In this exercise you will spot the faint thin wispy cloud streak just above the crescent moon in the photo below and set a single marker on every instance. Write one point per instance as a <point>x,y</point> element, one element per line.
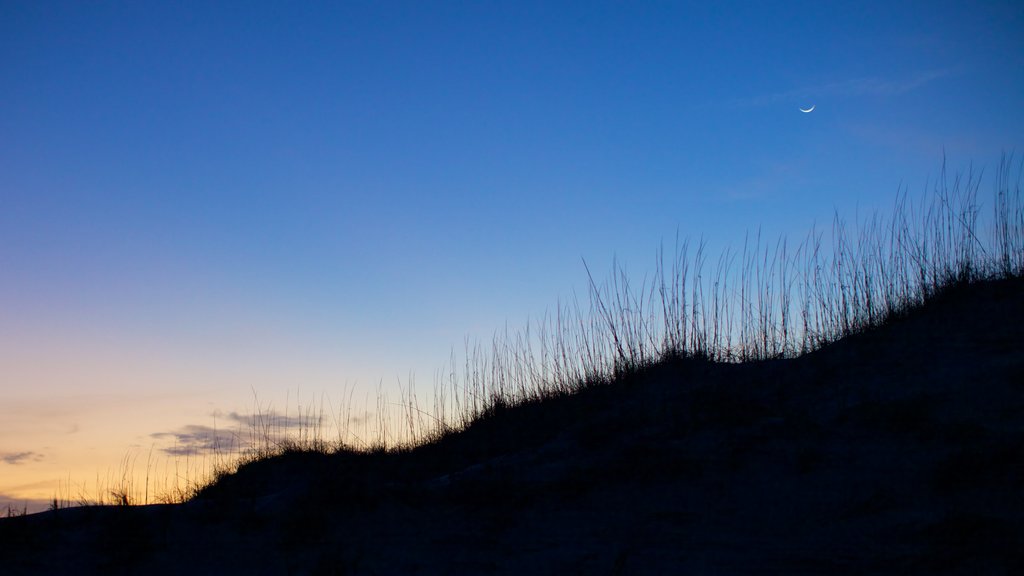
<point>871,87</point>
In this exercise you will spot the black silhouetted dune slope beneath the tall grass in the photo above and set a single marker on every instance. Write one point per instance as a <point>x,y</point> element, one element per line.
<point>897,451</point>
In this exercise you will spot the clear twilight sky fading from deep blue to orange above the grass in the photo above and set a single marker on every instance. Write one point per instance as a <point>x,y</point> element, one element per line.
<point>205,207</point>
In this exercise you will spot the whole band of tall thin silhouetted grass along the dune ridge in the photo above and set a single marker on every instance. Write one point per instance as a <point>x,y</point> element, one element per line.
<point>769,300</point>
